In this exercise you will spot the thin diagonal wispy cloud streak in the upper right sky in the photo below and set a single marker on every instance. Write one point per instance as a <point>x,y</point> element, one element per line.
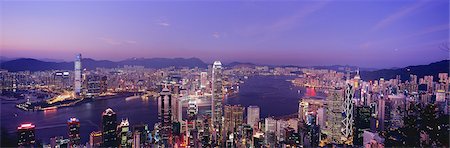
<point>399,15</point>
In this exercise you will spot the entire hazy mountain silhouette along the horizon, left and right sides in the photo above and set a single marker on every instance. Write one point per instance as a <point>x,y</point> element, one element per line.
<point>28,64</point>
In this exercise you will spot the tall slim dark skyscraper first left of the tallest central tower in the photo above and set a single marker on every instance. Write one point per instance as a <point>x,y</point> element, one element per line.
<point>165,102</point>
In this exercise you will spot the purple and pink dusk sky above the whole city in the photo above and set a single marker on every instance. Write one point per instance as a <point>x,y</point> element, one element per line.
<point>366,33</point>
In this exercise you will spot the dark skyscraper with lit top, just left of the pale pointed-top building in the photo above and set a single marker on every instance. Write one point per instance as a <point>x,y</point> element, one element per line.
<point>109,136</point>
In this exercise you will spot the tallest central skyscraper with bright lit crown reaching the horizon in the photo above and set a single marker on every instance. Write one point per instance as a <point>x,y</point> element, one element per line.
<point>217,96</point>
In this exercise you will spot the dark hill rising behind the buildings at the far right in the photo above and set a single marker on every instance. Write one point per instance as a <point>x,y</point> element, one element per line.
<point>421,70</point>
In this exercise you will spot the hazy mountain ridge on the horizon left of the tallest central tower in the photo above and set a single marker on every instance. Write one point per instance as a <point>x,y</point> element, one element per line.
<point>27,64</point>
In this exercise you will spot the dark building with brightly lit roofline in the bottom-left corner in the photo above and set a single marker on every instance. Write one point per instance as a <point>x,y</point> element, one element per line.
<point>25,135</point>
